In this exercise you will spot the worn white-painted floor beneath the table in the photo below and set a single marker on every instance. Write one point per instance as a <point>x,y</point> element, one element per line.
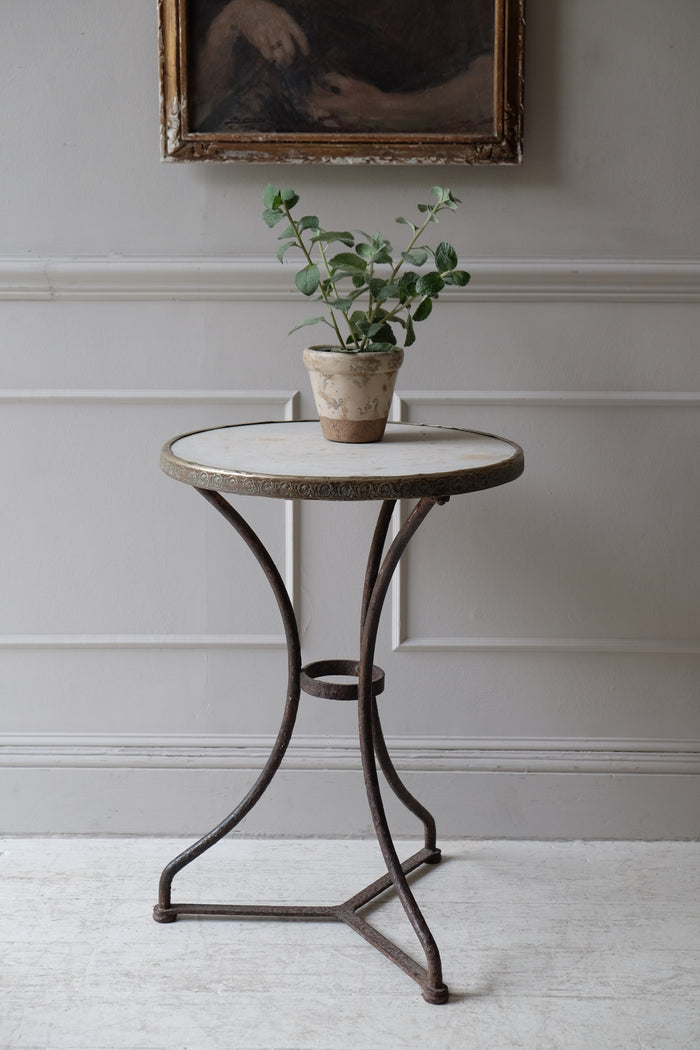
<point>545,947</point>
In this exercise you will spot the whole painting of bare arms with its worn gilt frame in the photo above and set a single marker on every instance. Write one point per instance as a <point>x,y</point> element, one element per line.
<point>347,81</point>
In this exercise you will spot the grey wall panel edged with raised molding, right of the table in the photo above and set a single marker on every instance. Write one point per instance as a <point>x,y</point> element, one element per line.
<point>588,559</point>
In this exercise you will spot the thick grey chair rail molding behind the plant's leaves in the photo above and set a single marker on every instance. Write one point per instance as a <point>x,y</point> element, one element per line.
<point>257,279</point>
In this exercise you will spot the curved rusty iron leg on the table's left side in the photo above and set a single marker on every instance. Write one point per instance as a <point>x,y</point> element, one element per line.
<point>163,911</point>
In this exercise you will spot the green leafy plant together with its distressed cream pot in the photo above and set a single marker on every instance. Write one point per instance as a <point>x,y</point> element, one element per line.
<point>373,298</point>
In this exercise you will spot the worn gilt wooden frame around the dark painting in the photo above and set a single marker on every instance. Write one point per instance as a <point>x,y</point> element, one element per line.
<point>503,146</point>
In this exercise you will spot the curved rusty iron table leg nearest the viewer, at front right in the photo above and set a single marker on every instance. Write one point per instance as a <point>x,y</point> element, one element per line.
<point>434,990</point>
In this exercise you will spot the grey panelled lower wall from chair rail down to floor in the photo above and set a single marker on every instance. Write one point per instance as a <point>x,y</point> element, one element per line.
<point>543,644</point>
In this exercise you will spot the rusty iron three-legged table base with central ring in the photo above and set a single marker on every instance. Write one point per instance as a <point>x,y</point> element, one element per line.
<point>373,749</point>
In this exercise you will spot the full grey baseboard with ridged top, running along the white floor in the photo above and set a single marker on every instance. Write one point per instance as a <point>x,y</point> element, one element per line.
<point>483,789</point>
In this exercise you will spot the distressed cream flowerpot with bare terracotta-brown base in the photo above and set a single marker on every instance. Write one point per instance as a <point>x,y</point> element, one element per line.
<point>353,392</point>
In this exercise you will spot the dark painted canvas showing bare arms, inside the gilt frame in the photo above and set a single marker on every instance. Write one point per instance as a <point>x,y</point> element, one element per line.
<point>343,66</point>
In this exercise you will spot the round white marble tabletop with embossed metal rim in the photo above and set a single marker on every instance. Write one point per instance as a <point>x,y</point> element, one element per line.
<point>294,461</point>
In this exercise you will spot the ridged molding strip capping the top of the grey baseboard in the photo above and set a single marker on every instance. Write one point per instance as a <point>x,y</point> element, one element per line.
<point>331,754</point>
